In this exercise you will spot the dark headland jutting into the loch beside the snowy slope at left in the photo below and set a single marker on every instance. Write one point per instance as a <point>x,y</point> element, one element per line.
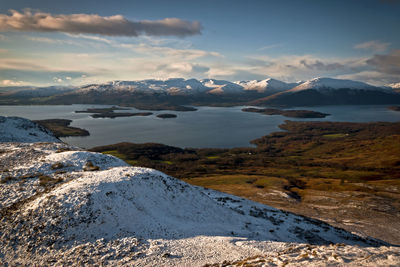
<point>61,128</point>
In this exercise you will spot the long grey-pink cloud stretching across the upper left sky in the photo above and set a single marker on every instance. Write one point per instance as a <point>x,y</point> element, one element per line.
<point>115,25</point>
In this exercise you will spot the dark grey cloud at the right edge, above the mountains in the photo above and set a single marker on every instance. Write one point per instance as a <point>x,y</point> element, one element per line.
<point>389,63</point>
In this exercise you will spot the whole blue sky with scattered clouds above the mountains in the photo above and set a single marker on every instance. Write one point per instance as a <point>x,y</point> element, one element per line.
<point>73,42</point>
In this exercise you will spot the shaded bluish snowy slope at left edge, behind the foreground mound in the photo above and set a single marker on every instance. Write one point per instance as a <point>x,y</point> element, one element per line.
<point>15,129</point>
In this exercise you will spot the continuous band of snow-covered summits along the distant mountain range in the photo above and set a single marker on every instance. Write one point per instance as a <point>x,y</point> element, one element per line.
<point>180,86</point>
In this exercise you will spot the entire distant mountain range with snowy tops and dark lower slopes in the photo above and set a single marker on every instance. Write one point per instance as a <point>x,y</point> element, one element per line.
<point>179,91</point>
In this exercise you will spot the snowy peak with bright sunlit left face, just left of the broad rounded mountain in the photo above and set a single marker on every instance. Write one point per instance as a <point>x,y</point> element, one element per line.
<point>270,85</point>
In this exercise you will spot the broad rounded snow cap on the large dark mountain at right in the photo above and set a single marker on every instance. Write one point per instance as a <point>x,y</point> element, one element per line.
<point>330,83</point>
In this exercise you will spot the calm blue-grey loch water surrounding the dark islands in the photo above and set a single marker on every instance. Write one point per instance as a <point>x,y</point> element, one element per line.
<point>206,127</point>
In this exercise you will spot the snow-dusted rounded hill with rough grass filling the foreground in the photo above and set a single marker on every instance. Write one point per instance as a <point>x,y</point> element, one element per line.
<point>62,205</point>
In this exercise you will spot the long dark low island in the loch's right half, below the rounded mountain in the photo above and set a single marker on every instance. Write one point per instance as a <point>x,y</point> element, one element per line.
<point>287,113</point>
